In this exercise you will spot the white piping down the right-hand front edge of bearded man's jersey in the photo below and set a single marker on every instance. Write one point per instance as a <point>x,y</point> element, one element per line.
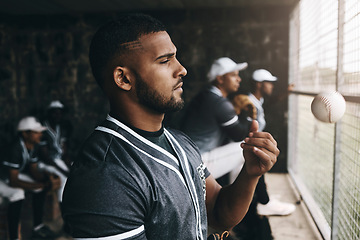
<point>193,192</point>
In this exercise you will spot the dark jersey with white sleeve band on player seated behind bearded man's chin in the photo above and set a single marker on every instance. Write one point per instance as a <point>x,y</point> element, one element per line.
<point>206,118</point>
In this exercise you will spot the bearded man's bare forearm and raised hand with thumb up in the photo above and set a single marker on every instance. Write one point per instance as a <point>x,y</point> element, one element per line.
<point>228,205</point>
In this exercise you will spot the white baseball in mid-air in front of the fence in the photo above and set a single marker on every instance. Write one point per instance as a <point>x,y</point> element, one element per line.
<point>328,106</point>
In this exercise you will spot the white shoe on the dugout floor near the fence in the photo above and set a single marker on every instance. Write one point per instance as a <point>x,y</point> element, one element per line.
<point>275,208</point>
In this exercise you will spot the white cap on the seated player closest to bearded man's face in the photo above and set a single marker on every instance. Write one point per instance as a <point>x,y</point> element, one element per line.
<point>224,65</point>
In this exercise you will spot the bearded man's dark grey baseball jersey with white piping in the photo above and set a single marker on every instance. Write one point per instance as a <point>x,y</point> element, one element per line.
<point>123,186</point>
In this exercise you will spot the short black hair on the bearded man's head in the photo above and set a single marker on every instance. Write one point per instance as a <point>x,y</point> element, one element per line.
<point>108,42</point>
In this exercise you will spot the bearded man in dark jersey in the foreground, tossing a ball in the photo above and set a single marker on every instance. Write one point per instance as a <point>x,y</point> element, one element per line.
<point>134,179</point>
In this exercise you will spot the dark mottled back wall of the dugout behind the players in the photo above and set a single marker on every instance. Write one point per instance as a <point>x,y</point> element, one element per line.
<point>43,58</point>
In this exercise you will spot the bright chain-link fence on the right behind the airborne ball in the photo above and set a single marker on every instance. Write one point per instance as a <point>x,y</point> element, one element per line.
<point>324,159</point>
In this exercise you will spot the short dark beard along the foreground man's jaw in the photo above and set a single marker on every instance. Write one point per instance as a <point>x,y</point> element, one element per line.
<point>154,100</point>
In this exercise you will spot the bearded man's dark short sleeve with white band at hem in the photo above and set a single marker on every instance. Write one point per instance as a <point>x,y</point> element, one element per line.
<point>100,200</point>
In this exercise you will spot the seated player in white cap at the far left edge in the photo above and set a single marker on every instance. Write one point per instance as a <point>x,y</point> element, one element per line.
<point>21,173</point>
